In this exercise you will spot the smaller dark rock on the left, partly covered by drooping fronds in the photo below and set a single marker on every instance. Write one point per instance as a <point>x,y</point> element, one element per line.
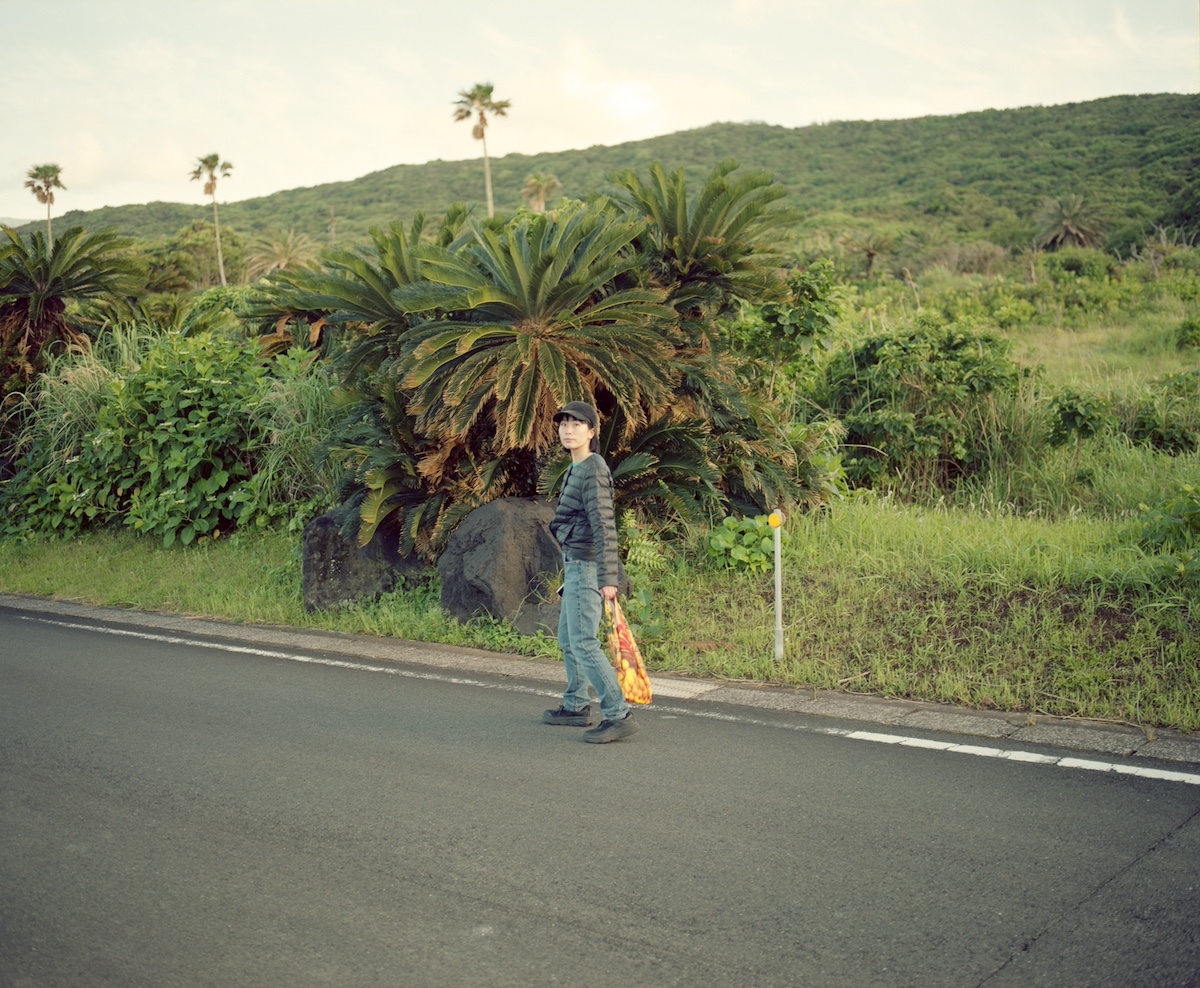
<point>338,572</point>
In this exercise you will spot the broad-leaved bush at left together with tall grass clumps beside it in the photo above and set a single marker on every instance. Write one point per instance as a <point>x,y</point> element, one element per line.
<point>176,439</point>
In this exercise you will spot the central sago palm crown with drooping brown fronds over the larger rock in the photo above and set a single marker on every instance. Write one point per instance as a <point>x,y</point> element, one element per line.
<point>518,321</point>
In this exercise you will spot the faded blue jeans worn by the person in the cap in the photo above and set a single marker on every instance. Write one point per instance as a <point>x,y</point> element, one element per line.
<point>586,662</point>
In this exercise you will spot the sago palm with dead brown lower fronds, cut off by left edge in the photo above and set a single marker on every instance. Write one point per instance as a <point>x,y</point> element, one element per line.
<point>37,284</point>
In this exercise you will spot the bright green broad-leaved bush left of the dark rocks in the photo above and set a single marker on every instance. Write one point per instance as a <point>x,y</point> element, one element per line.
<point>171,453</point>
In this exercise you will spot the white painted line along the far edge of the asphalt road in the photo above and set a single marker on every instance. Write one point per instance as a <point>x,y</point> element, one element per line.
<point>1011,755</point>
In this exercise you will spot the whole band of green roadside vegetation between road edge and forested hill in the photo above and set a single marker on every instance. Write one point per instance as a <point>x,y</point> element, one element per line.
<point>988,452</point>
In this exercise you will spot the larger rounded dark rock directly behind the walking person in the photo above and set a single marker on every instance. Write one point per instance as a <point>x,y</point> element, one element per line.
<point>501,561</point>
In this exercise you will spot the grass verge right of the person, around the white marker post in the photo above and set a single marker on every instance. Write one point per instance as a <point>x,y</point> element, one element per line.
<point>999,612</point>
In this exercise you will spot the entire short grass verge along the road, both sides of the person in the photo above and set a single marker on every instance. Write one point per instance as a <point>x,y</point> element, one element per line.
<point>991,610</point>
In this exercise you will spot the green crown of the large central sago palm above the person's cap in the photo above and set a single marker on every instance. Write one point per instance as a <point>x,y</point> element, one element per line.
<point>526,319</point>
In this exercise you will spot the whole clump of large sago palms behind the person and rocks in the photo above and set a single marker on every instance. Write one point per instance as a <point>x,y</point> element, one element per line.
<point>457,354</point>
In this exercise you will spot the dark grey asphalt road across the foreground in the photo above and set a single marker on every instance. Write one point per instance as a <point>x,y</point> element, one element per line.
<point>175,815</point>
